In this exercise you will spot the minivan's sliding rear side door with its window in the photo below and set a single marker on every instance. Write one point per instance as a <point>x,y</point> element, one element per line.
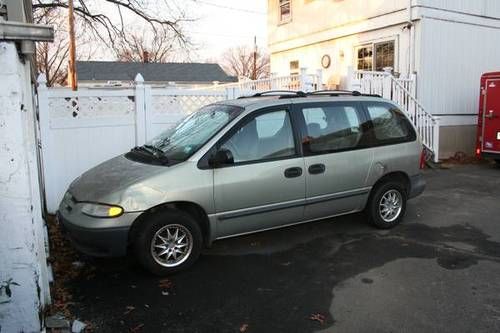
<point>336,159</point>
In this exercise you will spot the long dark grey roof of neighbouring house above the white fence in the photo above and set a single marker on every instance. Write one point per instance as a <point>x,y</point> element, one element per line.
<point>160,72</point>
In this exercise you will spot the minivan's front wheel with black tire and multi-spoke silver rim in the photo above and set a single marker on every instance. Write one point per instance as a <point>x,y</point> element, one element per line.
<point>157,236</point>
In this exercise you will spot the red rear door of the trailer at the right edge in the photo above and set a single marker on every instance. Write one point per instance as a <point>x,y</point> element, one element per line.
<point>491,117</point>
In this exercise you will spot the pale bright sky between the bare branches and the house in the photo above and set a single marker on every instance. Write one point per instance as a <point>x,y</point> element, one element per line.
<point>217,26</point>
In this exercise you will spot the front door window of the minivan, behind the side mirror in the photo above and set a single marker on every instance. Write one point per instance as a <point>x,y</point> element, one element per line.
<point>267,136</point>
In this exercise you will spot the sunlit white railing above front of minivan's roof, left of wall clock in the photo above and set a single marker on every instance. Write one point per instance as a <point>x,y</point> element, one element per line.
<point>302,81</point>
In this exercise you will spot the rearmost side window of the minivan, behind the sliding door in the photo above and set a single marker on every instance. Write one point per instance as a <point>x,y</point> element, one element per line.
<point>389,124</point>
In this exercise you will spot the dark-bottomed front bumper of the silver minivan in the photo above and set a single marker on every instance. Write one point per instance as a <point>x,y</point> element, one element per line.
<point>97,237</point>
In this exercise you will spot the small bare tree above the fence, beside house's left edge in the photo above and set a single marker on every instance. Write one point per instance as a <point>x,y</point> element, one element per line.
<point>239,61</point>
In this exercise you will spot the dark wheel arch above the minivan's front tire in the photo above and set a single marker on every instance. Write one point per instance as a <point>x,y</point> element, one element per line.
<point>191,208</point>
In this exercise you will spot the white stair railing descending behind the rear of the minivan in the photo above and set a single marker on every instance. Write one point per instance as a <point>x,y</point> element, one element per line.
<point>403,92</point>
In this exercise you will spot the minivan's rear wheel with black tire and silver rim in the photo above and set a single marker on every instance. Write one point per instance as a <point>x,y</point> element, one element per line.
<point>391,193</point>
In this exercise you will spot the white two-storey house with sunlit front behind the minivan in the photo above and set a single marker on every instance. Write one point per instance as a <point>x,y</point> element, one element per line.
<point>445,44</point>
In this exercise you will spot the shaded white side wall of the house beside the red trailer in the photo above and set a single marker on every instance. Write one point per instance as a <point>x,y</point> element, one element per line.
<point>453,57</point>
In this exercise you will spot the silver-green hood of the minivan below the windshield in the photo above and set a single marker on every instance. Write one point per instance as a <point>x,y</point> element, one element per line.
<point>110,177</point>
